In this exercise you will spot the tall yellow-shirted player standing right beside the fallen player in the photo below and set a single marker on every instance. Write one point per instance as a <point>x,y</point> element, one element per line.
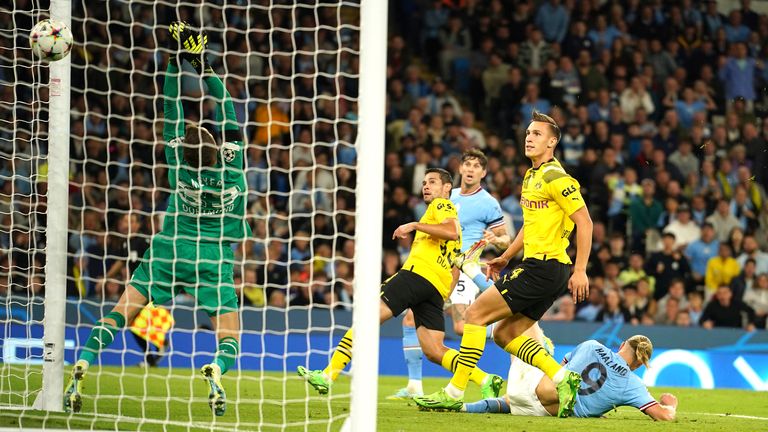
<point>552,206</point>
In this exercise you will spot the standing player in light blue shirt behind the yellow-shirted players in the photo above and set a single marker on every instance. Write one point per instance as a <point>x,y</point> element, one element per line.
<point>480,218</point>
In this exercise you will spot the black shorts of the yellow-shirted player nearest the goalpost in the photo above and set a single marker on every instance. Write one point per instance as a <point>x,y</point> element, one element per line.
<point>408,290</point>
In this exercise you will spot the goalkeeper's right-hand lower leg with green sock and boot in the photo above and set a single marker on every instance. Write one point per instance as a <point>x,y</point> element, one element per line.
<point>227,326</point>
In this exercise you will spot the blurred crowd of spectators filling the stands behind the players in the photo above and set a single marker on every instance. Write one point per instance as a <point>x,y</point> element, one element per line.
<point>662,105</point>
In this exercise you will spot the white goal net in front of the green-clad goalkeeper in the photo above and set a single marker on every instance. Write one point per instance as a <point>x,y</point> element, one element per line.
<point>292,70</point>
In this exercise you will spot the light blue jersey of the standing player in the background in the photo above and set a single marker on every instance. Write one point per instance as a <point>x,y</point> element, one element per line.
<point>477,211</point>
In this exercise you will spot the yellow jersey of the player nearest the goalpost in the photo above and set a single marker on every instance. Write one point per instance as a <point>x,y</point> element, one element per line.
<point>430,257</point>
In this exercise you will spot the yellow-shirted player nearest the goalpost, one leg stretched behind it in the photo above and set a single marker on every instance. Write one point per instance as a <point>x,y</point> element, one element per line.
<point>422,284</point>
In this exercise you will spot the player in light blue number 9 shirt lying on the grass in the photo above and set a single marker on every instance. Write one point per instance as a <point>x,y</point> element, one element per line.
<point>607,382</point>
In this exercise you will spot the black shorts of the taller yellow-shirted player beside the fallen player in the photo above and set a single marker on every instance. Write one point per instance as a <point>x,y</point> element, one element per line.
<point>534,285</point>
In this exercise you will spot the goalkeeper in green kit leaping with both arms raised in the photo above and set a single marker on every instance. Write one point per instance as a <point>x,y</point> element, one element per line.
<point>206,213</point>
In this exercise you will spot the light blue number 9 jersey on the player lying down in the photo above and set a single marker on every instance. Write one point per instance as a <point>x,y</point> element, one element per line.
<point>607,381</point>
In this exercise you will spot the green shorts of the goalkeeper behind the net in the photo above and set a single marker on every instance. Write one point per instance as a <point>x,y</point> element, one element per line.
<point>203,270</point>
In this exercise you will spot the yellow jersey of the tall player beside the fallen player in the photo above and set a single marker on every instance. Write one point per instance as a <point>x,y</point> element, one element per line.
<point>549,197</point>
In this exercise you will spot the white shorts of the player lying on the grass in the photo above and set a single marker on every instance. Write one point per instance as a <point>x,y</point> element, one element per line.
<point>521,389</point>
